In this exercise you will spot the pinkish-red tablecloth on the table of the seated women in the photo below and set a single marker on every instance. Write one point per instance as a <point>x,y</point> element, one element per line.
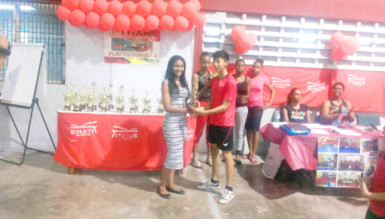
<point>300,151</point>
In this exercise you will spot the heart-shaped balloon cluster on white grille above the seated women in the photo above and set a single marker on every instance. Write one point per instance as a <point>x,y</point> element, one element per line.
<point>343,46</point>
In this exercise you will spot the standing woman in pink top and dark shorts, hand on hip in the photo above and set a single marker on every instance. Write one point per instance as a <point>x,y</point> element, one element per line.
<point>256,107</point>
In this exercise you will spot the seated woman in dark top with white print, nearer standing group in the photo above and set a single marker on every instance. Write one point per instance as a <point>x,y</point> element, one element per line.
<point>294,111</point>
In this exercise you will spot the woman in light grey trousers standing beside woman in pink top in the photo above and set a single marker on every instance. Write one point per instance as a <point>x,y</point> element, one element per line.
<point>243,92</point>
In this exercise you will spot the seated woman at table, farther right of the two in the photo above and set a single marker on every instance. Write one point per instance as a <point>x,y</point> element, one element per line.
<point>337,111</point>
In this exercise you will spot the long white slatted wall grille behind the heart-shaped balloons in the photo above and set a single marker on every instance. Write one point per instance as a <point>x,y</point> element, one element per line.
<point>297,41</point>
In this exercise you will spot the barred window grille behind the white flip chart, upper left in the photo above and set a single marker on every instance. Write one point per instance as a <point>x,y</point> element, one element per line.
<point>28,22</point>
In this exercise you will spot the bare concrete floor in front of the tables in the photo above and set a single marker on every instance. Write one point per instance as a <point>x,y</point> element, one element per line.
<point>41,188</point>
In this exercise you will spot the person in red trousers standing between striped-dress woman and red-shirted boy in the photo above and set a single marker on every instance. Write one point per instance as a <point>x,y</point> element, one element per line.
<point>203,79</point>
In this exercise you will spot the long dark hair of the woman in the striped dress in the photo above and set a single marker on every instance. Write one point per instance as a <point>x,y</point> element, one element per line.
<point>170,76</point>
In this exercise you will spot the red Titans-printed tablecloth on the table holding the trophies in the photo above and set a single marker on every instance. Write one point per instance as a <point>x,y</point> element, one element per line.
<point>115,141</point>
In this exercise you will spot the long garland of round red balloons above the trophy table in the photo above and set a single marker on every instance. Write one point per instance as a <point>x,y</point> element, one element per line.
<point>144,15</point>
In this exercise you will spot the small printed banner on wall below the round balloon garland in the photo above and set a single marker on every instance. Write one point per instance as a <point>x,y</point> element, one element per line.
<point>140,47</point>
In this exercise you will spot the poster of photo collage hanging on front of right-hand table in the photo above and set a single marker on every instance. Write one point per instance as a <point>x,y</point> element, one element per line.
<point>342,161</point>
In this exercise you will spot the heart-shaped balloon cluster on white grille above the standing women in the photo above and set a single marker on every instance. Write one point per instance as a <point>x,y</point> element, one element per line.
<point>243,41</point>
